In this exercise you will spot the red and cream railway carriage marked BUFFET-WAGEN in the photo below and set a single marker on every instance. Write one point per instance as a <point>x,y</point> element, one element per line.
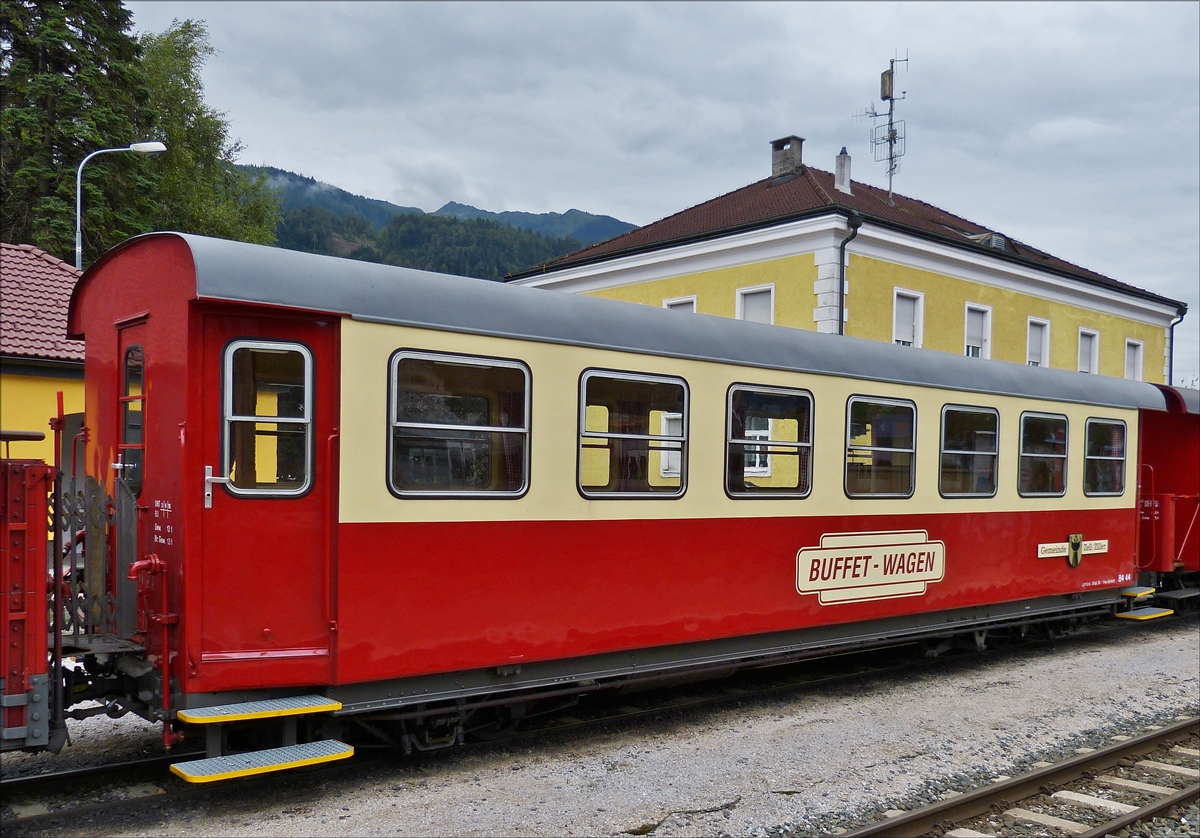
<point>356,489</point>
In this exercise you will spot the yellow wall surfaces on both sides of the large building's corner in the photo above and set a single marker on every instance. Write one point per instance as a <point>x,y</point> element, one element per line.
<point>871,301</point>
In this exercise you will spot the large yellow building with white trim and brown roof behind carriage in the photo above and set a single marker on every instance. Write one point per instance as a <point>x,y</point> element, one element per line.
<point>914,274</point>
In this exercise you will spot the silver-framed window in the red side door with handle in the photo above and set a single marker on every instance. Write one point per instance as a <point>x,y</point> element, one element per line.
<point>268,417</point>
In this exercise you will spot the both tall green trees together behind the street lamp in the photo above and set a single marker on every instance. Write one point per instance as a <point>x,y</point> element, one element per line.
<point>74,81</point>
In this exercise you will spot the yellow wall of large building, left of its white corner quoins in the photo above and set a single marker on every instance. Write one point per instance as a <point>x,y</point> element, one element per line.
<point>717,291</point>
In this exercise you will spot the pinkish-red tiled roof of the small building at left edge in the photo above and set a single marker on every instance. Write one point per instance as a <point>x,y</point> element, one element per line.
<point>35,291</point>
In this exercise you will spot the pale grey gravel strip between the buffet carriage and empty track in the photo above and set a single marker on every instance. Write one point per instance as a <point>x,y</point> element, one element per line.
<point>803,763</point>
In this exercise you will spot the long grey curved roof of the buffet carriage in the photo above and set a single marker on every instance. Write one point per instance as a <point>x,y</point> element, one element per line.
<point>231,271</point>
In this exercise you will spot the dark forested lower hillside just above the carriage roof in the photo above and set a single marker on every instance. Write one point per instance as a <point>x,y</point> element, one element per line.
<point>483,249</point>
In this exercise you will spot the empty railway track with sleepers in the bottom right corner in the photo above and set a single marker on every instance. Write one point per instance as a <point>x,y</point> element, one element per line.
<point>1093,795</point>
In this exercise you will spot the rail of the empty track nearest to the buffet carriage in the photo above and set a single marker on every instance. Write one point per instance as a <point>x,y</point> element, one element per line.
<point>973,804</point>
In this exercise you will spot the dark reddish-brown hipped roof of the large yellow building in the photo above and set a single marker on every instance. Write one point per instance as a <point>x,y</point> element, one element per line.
<point>812,193</point>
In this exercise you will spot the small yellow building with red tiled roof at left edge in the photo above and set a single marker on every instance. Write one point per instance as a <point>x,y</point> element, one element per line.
<point>37,358</point>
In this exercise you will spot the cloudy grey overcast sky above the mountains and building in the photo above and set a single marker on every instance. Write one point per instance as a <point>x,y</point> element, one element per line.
<point>1075,128</point>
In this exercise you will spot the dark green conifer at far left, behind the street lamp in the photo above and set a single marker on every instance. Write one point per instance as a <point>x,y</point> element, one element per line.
<point>71,83</point>
